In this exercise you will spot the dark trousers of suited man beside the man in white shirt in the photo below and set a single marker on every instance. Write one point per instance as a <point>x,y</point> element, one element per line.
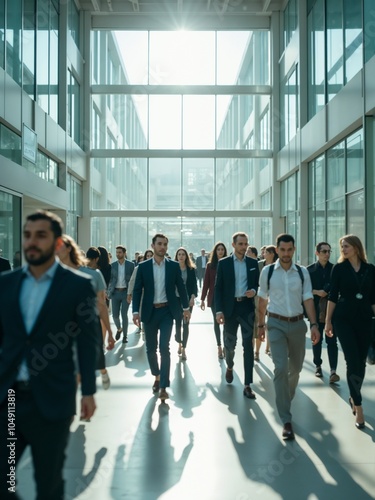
<point>245,319</point>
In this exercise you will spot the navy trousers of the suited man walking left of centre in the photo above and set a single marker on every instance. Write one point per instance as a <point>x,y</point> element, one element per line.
<point>161,320</point>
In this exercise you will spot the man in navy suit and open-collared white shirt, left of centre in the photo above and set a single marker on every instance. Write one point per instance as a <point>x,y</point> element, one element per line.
<point>158,278</point>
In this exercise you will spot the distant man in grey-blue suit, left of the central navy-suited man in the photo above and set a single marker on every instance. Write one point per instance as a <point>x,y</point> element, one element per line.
<point>121,273</point>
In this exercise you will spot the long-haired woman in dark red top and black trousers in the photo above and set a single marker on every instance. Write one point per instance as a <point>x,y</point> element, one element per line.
<point>219,251</point>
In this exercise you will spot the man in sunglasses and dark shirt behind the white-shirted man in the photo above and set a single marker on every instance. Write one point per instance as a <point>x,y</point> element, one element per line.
<point>320,274</point>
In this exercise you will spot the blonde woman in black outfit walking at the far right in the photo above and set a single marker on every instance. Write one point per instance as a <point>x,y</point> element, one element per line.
<point>351,306</point>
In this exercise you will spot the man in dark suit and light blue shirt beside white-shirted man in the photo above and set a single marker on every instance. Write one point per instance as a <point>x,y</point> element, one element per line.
<point>236,284</point>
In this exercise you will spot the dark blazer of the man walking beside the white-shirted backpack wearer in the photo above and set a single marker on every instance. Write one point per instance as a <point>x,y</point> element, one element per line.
<point>225,284</point>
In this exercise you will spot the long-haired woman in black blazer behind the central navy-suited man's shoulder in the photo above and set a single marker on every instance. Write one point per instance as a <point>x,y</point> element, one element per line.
<point>190,280</point>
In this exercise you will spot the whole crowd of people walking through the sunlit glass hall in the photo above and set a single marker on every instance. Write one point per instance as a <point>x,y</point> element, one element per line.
<point>64,298</point>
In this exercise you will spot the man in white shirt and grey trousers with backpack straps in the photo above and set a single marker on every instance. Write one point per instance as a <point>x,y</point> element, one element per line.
<point>284,290</point>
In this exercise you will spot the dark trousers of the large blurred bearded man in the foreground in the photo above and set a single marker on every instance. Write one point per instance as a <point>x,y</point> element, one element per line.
<point>48,440</point>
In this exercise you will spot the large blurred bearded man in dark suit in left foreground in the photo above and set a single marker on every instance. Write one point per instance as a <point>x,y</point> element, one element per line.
<point>45,309</point>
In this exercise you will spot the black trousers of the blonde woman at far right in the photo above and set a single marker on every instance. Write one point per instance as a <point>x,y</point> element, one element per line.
<point>355,340</point>
